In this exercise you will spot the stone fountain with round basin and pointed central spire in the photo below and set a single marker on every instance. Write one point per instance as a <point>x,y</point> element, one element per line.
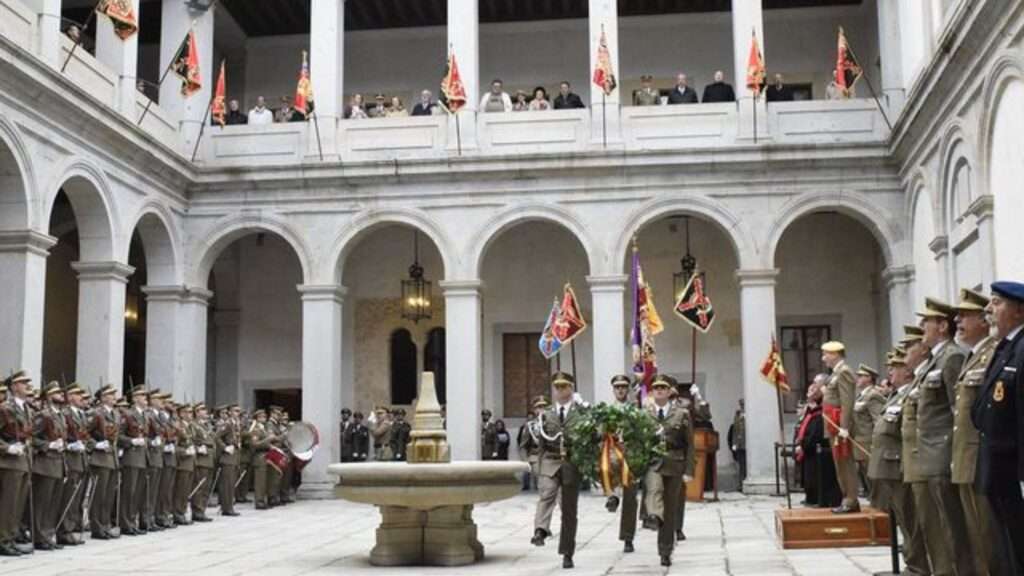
<point>428,505</point>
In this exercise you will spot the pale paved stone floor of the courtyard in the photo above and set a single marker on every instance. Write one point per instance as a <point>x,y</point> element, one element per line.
<point>732,538</point>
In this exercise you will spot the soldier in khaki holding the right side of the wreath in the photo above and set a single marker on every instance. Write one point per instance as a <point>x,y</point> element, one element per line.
<point>665,478</point>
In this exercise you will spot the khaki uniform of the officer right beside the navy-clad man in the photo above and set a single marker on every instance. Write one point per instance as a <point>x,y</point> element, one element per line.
<point>977,510</point>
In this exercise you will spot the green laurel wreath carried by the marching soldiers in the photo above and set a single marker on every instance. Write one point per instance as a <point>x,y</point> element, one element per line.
<point>638,432</point>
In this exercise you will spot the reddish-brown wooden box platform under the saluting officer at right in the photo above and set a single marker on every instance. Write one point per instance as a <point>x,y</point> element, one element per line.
<point>819,528</point>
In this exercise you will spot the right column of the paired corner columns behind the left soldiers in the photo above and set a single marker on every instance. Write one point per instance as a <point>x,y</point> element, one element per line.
<point>192,354</point>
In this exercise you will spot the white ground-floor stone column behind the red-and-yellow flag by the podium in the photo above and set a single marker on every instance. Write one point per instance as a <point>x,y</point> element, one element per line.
<point>757,304</point>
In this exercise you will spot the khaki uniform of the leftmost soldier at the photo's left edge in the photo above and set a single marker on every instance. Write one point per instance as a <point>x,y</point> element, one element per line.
<point>16,429</point>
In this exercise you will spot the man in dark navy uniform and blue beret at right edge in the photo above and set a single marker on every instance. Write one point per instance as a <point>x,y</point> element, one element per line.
<point>998,416</point>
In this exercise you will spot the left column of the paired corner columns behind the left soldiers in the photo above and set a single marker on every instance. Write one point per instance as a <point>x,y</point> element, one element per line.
<point>163,308</point>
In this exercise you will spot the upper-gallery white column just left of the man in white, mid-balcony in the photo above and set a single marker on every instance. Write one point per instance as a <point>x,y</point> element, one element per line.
<point>464,40</point>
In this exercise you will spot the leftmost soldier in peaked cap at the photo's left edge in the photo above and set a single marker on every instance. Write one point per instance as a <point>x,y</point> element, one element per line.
<point>16,436</point>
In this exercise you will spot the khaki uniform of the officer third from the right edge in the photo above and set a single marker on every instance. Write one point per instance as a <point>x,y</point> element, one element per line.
<point>935,425</point>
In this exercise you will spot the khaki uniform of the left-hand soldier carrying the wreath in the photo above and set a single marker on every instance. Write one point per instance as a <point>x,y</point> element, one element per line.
<point>559,475</point>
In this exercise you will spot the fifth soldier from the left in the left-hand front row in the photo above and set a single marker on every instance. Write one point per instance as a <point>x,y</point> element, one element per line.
<point>133,442</point>
